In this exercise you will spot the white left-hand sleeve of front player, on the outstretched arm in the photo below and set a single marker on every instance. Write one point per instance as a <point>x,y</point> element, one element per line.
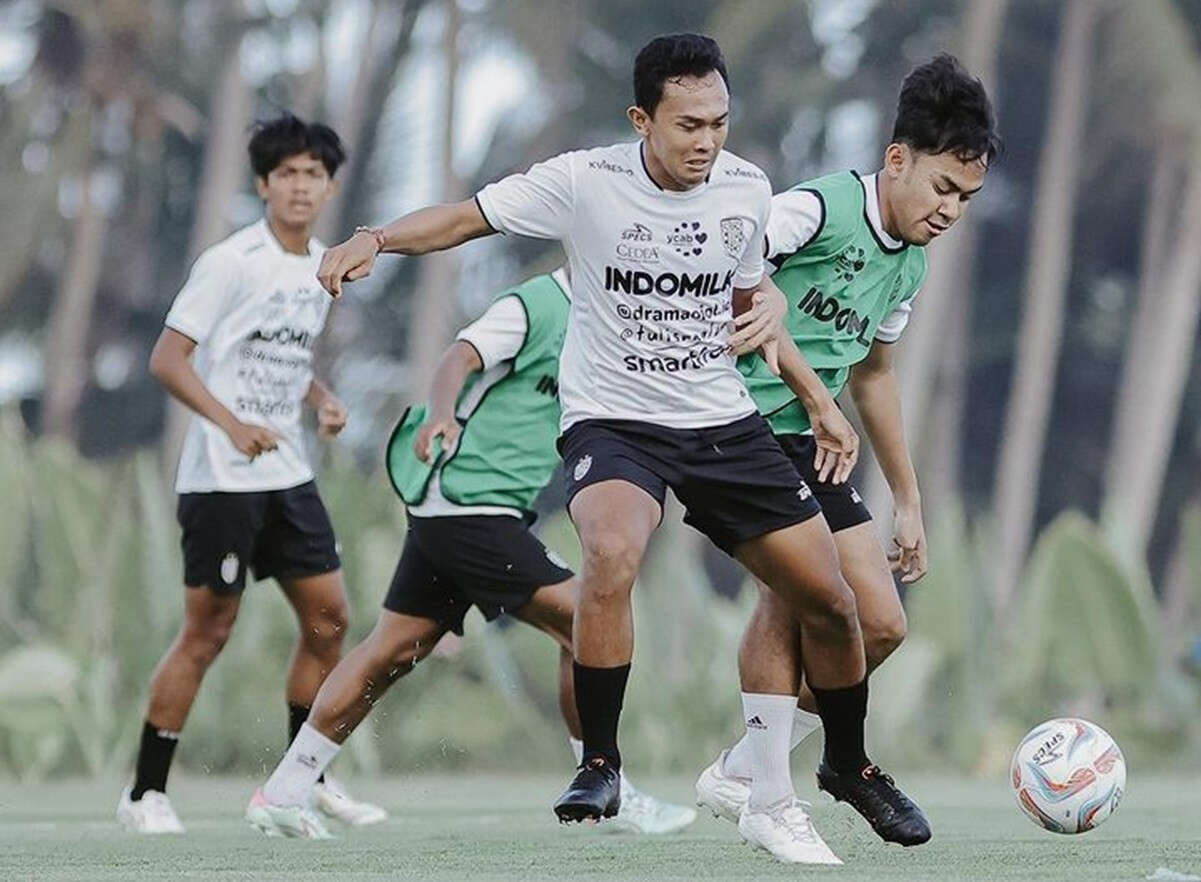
<point>540,204</point>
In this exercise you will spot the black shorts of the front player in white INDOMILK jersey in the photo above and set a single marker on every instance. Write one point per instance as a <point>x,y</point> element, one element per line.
<point>733,480</point>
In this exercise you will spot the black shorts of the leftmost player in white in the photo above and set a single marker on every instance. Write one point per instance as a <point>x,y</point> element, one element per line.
<point>280,534</point>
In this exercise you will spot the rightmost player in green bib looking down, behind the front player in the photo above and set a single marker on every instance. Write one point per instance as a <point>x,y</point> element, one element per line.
<point>850,257</point>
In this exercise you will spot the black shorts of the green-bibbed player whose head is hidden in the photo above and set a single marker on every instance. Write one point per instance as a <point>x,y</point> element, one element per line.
<point>492,562</point>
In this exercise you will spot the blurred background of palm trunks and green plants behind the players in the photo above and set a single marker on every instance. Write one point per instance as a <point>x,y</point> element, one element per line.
<point>1051,382</point>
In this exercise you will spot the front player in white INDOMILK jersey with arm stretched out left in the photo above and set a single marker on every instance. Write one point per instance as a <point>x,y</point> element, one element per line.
<point>662,236</point>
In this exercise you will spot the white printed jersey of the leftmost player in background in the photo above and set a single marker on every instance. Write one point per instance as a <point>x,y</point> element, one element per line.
<point>255,312</point>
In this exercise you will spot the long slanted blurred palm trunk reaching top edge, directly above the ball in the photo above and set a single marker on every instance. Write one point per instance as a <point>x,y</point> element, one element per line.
<point>1041,336</point>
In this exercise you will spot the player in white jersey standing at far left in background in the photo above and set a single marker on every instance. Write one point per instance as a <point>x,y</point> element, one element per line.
<point>237,350</point>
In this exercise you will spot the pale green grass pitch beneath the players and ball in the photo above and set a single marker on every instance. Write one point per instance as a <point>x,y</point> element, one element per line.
<point>477,827</point>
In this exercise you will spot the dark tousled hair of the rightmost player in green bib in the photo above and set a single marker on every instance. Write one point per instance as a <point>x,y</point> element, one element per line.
<point>943,109</point>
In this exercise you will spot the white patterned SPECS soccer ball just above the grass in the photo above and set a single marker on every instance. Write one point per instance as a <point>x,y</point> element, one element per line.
<point>1068,776</point>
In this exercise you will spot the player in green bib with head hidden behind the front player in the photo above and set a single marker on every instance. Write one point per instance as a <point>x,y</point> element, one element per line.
<point>469,468</point>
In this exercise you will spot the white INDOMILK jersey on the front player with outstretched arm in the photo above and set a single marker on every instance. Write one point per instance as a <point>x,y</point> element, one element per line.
<point>653,275</point>
